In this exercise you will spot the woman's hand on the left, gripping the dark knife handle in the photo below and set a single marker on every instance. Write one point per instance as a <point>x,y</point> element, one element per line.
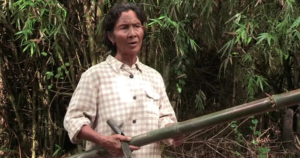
<point>113,144</point>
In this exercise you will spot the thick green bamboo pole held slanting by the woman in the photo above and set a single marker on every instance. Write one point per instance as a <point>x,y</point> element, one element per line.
<point>261,106</point>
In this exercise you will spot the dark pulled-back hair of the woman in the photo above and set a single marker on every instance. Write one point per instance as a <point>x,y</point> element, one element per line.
<point>112,17</point>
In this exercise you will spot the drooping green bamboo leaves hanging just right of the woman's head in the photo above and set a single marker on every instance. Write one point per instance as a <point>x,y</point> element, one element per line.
<point>181,40</point>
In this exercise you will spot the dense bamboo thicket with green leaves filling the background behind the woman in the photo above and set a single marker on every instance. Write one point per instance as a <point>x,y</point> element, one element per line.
<point>213,54</point>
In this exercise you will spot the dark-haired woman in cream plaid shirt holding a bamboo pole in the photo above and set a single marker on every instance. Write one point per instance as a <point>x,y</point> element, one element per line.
<point>120,88</point>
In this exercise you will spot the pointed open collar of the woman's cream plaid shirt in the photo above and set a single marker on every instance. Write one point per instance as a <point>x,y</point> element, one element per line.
<point>117,65</point>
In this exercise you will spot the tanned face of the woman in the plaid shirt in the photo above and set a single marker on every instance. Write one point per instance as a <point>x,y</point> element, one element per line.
<point>128,34</point>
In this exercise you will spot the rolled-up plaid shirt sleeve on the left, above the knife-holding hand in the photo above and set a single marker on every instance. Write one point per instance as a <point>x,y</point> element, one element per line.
<point>82,108</point>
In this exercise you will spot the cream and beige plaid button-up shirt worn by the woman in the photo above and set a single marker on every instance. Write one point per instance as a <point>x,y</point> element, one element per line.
<point>134,97</point>
